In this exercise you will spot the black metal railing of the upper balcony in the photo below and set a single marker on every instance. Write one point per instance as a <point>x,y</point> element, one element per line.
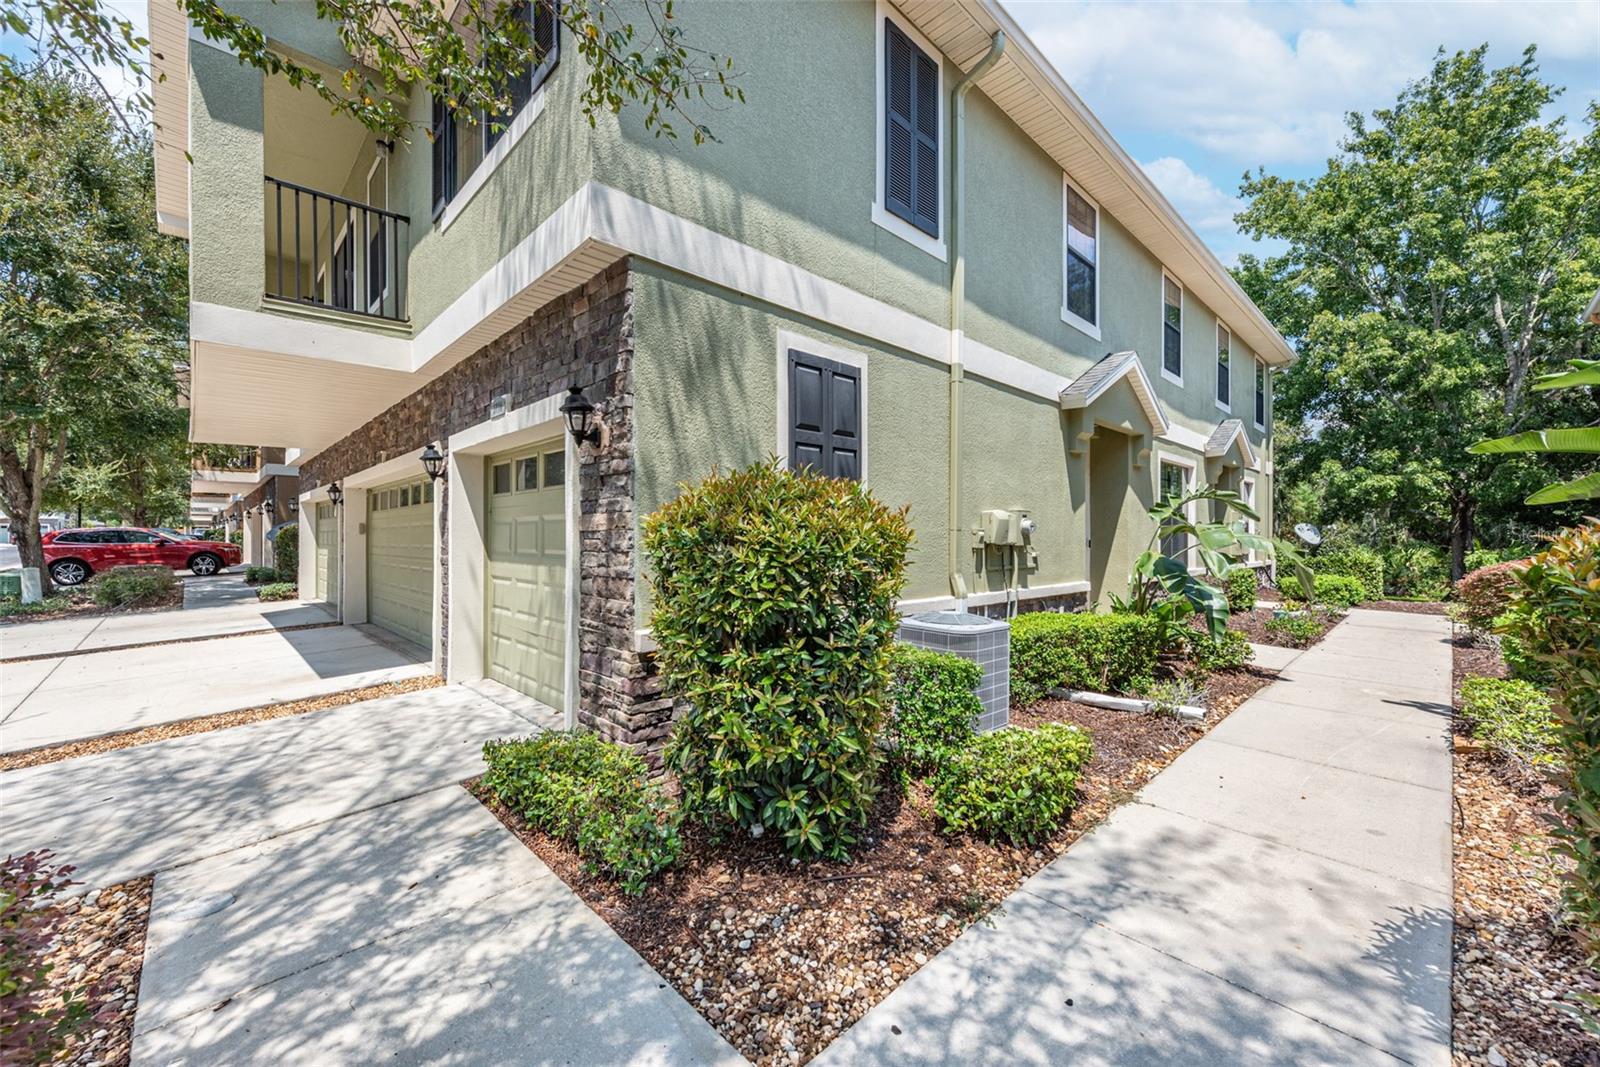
<point>330,252</point>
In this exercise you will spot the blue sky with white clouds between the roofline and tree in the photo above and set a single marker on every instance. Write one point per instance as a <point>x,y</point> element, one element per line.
<point>1199,94</point>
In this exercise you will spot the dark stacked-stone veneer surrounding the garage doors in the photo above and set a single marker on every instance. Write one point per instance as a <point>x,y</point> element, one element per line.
<point>583,338</point>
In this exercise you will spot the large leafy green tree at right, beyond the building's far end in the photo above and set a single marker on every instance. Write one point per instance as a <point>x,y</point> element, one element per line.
<point>1431,271</point>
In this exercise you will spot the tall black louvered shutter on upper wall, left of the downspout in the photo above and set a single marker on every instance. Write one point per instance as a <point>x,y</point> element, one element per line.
<point>911,132</point>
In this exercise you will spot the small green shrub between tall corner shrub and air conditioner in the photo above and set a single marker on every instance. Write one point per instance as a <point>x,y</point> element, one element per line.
<point>934,706</point>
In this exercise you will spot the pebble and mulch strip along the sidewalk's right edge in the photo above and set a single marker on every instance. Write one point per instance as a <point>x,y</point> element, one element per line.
<point>1514,964</point>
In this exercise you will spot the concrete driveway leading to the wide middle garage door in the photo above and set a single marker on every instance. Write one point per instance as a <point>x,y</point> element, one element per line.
<point>57,700</point>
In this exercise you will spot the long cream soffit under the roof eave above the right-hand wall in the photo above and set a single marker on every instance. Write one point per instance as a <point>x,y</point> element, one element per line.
<point>1041,102</point>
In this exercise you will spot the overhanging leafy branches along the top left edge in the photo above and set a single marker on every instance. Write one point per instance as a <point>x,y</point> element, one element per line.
<point>462,54</point>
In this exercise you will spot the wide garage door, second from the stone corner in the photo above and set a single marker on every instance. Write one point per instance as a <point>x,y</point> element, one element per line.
<point>401,561</point>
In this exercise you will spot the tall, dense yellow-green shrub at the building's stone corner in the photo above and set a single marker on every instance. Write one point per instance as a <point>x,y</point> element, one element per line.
<point>775,615</point>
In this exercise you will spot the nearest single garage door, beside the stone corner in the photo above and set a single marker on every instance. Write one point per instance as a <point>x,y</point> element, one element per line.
<point>527,570</point>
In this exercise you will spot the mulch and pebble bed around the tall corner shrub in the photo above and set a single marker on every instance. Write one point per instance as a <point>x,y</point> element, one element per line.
<point>783,957</point>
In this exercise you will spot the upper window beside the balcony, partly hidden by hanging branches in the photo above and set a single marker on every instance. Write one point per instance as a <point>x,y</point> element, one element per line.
<point>460,150</point>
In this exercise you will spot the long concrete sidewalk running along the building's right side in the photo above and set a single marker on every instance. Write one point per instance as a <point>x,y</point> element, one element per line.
<point>1279,895</point>
